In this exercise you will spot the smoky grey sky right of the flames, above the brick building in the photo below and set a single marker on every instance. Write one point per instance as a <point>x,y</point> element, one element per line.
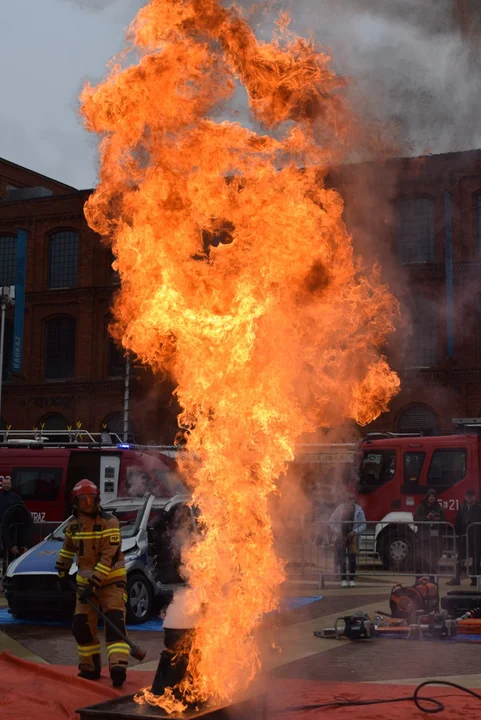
<point>413,64</point>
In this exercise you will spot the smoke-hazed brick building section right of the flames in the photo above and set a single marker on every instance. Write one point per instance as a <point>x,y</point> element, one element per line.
<point>422,218</point>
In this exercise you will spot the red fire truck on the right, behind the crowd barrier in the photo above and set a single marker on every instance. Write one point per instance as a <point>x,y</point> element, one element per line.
<point>396,471</point>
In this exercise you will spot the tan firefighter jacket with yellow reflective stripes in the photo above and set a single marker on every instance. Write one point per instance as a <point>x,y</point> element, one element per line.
<point>96,542</point>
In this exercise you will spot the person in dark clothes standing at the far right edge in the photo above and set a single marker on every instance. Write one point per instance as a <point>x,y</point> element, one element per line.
<point>468,538</point>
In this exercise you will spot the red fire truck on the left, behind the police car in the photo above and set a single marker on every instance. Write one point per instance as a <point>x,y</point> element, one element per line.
<point>44,469</point>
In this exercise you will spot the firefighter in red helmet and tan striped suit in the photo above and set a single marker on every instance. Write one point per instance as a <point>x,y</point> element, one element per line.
<point>94,537</point>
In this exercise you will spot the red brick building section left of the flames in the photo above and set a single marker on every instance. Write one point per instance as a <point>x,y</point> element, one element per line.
<point>72,371</point>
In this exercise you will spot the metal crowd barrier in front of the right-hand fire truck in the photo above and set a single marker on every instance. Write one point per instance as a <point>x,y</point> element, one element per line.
<point>341,551</point>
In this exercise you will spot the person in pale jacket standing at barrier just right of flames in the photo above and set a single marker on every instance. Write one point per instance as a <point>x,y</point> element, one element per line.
<point>347,523</point>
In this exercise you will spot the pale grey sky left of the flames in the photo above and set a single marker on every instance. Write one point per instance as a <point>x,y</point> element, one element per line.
<point>47,49</point>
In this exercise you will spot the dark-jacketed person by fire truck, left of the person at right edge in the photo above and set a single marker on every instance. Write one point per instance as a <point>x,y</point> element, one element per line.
<point>429,513</point>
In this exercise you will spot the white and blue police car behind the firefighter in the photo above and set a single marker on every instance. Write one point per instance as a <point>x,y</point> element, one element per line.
<point>152,529</point>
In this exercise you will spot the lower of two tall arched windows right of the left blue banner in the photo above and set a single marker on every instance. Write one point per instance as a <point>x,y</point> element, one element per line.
<point>60,348</point>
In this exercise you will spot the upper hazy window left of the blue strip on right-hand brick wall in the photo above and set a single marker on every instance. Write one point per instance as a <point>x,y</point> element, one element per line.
<point>416,230</point>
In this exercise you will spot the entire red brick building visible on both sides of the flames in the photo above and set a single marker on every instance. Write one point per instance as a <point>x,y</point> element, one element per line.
<point>397,211</point>
